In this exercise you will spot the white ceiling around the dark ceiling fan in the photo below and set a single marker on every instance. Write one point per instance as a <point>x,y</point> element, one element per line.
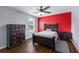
<point>32,9</point>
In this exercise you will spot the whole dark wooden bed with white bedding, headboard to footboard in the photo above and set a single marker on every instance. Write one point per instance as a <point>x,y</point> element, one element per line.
<point>47,37</point>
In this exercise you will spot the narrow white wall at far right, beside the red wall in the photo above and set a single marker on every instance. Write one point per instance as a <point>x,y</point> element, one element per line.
<point>75,26</point>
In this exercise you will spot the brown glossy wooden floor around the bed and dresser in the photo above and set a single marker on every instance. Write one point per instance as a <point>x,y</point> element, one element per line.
<point>28,47</point>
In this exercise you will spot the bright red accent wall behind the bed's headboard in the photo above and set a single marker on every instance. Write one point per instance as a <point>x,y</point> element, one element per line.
<point>63,20</point>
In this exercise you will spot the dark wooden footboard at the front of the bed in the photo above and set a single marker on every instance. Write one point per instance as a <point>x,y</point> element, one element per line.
<point>48,42</point>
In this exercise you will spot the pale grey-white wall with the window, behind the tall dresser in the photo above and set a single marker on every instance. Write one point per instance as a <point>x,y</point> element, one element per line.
<point>10,16</point>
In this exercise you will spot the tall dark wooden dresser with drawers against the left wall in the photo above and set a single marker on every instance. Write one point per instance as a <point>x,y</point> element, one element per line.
<point>15,34</point>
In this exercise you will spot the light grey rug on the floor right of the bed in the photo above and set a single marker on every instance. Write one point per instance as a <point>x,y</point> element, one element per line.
<point>62,46</point>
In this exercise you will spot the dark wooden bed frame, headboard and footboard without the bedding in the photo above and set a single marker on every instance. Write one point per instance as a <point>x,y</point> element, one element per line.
<point>48,42</point>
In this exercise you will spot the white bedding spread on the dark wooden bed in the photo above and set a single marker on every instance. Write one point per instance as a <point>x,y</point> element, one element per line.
<point>48,34</point>
